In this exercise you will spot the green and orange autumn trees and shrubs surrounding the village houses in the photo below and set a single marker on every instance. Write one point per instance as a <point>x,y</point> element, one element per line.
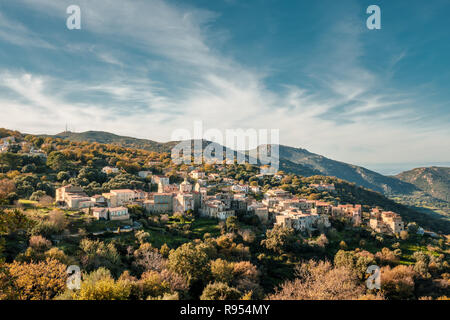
<point>187,256</point>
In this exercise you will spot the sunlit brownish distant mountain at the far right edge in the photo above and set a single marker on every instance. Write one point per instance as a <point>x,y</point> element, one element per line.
<point>433,180</point>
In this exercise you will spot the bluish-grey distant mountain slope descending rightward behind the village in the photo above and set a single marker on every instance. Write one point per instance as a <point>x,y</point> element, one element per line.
<point>317,164</point>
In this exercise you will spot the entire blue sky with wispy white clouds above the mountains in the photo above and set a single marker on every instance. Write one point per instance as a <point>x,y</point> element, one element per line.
<point>310,68</point>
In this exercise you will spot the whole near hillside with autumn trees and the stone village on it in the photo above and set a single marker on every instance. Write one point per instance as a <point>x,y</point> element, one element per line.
<point>141,227</point>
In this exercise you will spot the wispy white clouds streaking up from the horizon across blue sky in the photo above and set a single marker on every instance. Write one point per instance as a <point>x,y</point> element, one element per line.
<point>215,89</point>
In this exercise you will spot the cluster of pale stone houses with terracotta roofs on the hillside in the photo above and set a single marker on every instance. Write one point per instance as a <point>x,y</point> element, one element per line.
<point>277,207</point>
